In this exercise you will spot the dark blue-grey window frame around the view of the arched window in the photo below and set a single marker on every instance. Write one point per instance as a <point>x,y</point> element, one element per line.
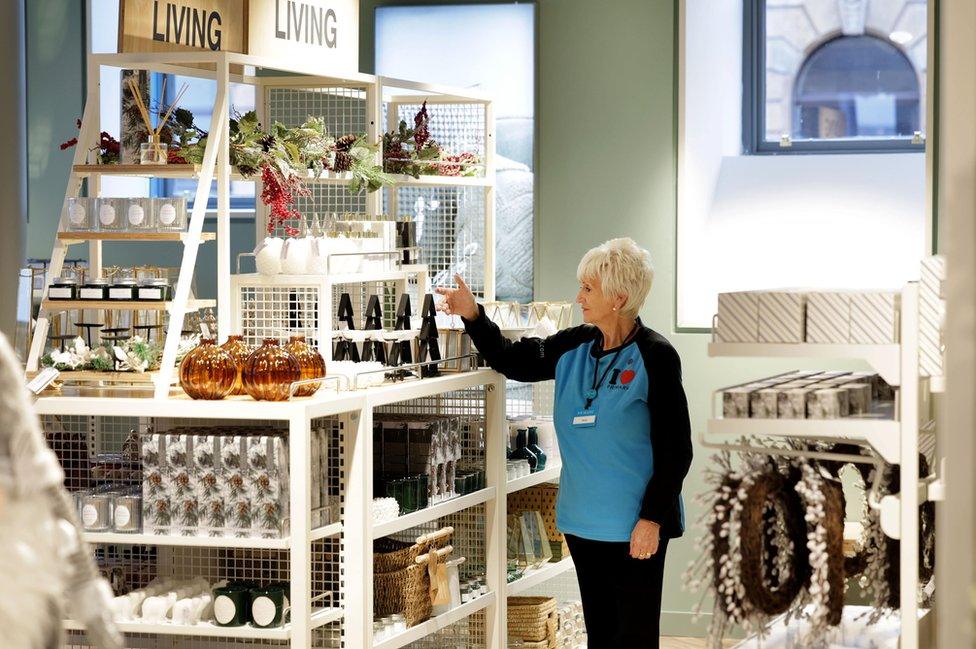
<point>754,140</point>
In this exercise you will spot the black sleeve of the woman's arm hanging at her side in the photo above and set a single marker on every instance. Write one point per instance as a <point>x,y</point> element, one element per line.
<point>670,438</point>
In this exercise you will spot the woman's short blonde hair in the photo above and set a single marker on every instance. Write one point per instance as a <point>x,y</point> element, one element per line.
<point>624,270</point>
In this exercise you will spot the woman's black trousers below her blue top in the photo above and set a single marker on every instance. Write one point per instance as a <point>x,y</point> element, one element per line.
<point>621,596</point>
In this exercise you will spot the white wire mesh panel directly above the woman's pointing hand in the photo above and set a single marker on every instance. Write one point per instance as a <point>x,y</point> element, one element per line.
<point>450,230</point>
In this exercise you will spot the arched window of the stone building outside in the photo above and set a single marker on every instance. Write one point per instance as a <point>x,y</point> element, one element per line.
<point>856,86</point>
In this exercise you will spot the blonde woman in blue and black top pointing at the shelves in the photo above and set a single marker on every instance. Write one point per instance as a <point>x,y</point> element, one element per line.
<point>621,419</point>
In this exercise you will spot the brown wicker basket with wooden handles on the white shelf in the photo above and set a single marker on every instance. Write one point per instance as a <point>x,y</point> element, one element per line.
<point>400,585</point>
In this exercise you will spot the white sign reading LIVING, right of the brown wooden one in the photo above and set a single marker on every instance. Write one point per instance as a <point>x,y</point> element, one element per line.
<point>324,31</point>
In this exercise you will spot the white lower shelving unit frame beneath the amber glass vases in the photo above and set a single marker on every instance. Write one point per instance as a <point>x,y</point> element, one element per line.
<point>355,532</point>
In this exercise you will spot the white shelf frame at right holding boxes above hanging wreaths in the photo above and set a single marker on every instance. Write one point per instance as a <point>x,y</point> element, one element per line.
<point>897,441</point>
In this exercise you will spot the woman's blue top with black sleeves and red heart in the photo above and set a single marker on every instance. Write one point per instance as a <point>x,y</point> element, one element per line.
<point>625,454</point>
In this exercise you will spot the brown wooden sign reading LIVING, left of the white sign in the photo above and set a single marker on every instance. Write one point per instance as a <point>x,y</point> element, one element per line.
<point>173,25</point>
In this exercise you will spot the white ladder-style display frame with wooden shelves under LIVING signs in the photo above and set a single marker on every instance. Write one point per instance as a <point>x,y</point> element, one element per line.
<point>362,108</point>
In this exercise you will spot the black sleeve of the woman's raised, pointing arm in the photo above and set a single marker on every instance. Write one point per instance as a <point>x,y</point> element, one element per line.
<point>527,359</point>
